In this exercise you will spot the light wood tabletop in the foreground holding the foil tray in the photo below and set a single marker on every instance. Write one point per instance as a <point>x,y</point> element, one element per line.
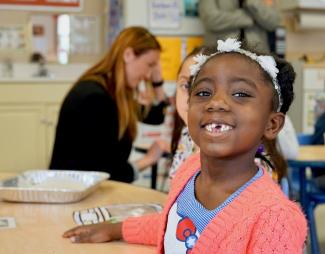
<point>39,226</point>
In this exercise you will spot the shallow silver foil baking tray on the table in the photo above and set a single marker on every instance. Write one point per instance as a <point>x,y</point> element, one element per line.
<point>51,186</point>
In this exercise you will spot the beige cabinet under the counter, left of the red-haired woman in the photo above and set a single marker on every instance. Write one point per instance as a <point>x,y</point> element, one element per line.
<point>28,117</point>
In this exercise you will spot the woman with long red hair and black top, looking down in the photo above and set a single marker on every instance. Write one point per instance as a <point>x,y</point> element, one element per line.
<point>98,118</point>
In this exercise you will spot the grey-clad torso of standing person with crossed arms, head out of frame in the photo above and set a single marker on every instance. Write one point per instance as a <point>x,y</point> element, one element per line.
<point>247,20</point>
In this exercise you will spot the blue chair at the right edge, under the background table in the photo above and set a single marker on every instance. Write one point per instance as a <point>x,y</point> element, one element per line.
<point>310,196</point>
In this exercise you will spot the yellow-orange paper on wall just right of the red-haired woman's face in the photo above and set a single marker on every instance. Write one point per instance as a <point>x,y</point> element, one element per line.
<point>170,56</point>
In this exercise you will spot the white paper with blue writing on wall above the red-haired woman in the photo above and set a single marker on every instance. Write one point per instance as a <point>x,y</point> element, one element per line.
<point>164,14</point>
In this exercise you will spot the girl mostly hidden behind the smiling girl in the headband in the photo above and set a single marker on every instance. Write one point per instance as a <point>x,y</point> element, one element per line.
<point>182,145</point>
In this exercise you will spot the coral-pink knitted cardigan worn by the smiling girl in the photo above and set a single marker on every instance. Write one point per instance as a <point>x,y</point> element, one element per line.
<point>260,220</point>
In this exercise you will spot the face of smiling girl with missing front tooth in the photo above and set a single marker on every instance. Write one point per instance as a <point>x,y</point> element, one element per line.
<point>230,107</point>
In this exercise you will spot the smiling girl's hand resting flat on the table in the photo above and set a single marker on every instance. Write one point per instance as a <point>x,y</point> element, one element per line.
<point>96,233</point>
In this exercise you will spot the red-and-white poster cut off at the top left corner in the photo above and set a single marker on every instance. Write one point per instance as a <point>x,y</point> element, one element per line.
<point>41,5</point>
